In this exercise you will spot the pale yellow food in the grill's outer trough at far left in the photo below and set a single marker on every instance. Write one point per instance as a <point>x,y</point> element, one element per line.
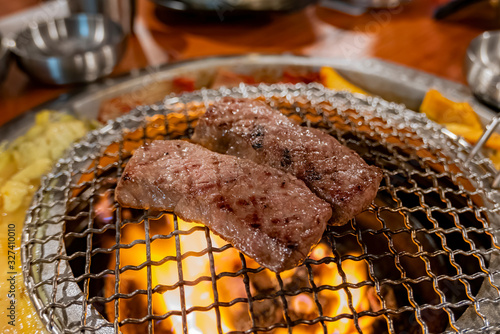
<point>22,163</point>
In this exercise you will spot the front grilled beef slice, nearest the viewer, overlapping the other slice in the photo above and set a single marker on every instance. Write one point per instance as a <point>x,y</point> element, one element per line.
<point>267,214</point>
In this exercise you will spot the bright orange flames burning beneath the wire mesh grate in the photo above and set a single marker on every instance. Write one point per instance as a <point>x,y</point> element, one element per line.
<point>199,296</point>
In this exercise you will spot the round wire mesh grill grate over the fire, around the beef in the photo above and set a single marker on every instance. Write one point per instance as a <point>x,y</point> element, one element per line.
<point>428,243</point>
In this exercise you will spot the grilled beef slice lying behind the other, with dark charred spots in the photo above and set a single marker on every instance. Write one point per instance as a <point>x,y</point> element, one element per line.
<point>251,129</point>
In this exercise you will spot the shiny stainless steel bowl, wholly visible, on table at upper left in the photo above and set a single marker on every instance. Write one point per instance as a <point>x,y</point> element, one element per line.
<point>80,48</point>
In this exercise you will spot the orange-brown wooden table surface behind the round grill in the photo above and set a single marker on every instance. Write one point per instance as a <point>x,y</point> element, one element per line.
<point>407,35</point>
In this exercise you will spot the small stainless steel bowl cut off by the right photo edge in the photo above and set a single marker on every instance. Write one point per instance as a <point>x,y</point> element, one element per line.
<point>482,67</point>
